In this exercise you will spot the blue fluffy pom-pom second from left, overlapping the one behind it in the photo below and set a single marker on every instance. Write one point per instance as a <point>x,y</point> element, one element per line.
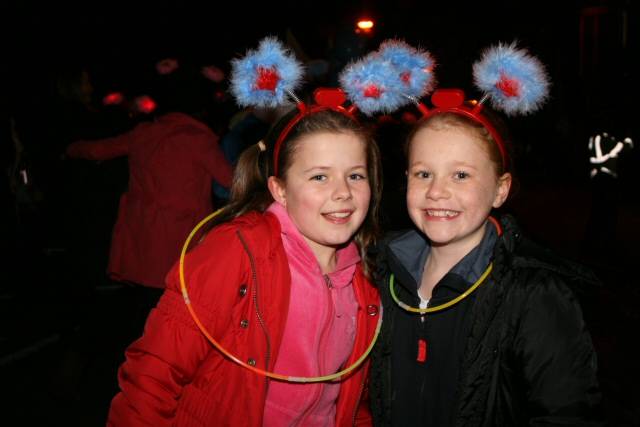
<point>373,85</point>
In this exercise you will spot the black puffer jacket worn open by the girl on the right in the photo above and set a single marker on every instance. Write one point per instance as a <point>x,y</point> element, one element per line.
<point>528,359</point>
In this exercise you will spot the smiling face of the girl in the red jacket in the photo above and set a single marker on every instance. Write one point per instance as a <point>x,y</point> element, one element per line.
<point>325,189</point>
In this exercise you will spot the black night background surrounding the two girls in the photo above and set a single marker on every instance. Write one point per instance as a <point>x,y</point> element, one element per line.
<point>62,337</point>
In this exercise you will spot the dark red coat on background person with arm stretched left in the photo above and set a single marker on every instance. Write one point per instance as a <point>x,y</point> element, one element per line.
<point>172,162</point>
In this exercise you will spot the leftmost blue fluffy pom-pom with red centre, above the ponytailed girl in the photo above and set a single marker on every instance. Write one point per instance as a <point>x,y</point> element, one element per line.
<point>265,76</point>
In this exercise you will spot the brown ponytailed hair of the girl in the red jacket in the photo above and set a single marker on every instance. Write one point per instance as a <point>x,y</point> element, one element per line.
<point>249,191</point>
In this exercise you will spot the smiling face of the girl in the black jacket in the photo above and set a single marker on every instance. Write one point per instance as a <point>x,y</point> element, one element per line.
<point>452,186</point>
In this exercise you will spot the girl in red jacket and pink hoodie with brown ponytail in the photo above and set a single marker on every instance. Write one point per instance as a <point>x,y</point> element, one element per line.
<point>280,282</point>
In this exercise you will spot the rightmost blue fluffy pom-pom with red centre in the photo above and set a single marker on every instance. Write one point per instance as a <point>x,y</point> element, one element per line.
<point>516,81</point>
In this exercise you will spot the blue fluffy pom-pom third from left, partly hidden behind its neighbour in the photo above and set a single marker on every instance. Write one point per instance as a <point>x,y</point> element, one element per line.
<point>415,67</point>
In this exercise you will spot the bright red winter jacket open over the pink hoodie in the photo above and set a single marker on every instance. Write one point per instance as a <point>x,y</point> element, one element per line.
<point>238,282</point>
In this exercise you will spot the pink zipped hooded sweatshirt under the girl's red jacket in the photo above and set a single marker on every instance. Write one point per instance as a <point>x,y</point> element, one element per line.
<point>319,333</point>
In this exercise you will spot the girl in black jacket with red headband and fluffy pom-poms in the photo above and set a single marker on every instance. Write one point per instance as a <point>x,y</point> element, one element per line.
<point>480,325</point>
